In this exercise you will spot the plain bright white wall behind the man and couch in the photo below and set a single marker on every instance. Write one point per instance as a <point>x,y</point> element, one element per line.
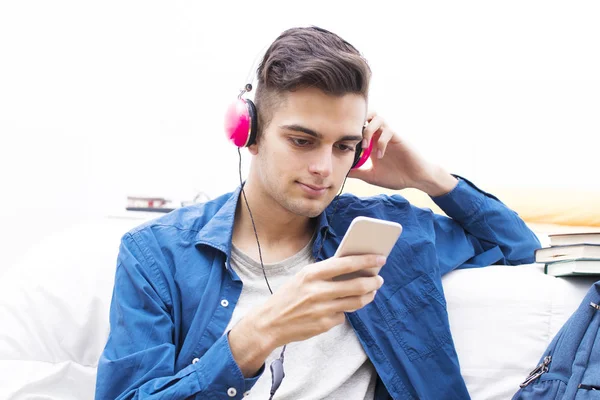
<point>100,100</point>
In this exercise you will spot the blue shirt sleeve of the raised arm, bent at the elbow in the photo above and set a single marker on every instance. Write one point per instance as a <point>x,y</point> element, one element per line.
<point>481,225</point>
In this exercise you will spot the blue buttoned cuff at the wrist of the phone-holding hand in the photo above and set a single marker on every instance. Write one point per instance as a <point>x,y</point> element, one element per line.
<point>219,375</point>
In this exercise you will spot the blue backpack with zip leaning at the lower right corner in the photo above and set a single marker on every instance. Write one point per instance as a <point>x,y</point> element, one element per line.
<point>570,366</point>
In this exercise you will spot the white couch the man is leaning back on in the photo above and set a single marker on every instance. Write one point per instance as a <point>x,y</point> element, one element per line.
<point>54,307</point>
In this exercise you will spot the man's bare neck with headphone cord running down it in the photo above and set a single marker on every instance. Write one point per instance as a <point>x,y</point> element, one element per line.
<point>281,233</point>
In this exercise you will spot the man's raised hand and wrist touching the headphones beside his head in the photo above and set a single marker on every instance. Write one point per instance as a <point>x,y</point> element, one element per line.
<point>396,165</point>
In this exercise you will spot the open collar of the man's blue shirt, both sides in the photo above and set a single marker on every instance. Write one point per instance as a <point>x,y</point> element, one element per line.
<point>218,231</point>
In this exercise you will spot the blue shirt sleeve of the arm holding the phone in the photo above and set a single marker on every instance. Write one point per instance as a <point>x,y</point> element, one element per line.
<point>138,361</point>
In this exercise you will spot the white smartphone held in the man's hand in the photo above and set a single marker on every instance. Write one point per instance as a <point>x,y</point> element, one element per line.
<point>368,236</point>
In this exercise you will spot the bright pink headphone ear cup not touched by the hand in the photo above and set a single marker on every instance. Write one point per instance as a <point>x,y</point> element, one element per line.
<point>240,122</point>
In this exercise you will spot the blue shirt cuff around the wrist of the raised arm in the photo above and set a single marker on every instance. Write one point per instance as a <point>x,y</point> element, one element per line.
<point>464,201</point>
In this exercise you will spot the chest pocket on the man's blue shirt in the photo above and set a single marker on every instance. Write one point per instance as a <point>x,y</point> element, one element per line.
<point>416,314</point>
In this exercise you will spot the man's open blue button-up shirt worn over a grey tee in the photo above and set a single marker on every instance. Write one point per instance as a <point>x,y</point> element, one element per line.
<point>175,292</point>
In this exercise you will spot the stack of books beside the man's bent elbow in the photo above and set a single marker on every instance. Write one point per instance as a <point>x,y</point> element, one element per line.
<point>571,254</point>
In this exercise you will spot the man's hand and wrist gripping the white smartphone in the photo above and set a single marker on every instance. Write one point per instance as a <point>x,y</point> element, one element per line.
<point>306,305</point>
